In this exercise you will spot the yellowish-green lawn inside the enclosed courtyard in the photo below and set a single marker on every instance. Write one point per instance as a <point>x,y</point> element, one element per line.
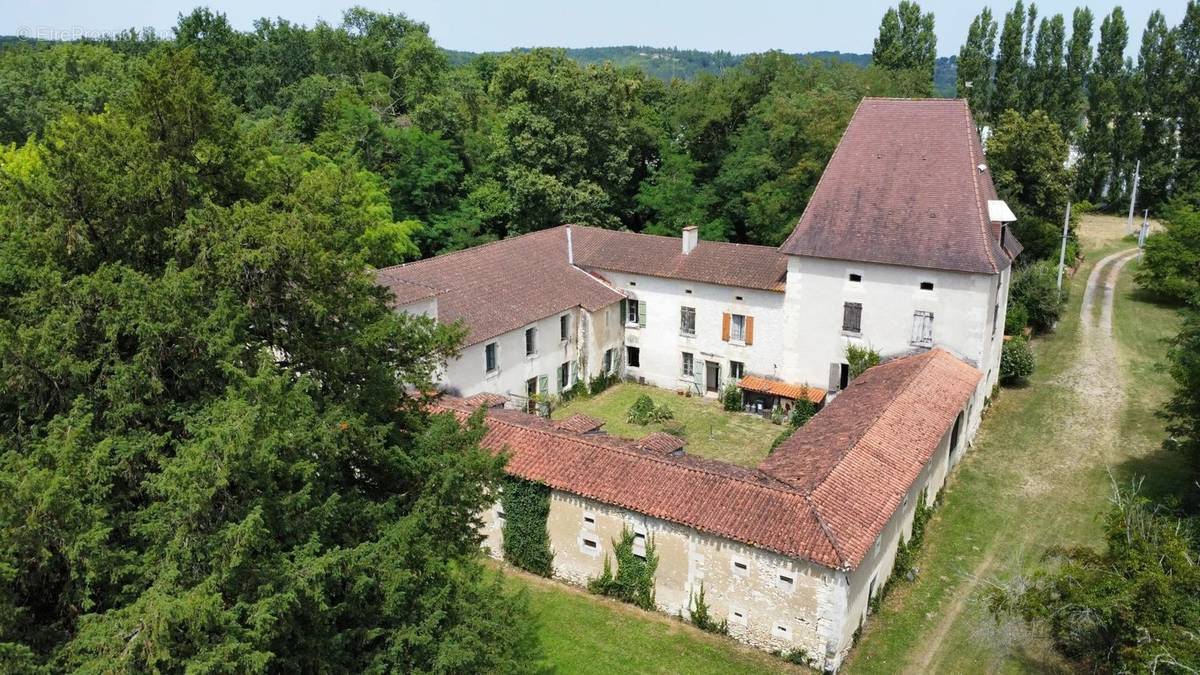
<point>709,429</point>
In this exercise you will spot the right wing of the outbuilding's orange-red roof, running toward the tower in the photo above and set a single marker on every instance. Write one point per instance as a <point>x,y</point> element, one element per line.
<point>859,457</point>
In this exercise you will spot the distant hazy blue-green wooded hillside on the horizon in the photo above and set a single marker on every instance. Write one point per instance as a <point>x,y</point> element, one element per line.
<point>686,64</point>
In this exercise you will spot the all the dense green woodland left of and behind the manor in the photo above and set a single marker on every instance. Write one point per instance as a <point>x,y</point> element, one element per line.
<point>211,458</point>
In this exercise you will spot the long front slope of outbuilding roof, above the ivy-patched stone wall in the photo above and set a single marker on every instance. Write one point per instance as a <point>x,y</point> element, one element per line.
<point>737,504</point>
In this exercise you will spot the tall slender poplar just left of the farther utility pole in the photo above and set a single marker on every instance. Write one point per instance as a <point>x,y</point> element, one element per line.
<point>1100,165</point>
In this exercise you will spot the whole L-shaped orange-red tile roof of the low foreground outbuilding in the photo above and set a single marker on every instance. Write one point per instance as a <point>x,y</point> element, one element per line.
<point>825,495</point>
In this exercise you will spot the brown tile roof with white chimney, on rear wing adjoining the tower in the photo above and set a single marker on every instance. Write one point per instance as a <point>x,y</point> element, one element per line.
<point>712,262</point>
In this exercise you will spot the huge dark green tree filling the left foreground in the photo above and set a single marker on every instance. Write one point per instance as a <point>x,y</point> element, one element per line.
<point>208,456</point>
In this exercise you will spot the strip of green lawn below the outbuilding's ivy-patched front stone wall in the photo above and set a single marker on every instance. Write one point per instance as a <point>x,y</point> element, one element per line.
<point>585,634</point>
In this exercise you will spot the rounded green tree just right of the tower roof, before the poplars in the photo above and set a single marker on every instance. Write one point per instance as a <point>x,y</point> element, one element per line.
<point>1028,157</point>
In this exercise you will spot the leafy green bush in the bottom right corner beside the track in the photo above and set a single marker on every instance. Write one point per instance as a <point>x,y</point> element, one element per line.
<point>1127,608</point>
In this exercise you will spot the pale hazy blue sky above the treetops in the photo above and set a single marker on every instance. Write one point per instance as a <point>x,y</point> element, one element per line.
<point>487,26</point>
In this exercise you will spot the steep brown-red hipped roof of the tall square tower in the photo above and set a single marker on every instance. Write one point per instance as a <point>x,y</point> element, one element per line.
<point>904,188</point>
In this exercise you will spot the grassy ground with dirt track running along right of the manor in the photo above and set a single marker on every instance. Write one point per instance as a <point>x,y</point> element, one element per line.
<point>1041,474</point>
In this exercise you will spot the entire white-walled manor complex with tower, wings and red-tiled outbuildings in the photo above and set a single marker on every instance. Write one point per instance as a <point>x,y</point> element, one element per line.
<point>904,248</point>
